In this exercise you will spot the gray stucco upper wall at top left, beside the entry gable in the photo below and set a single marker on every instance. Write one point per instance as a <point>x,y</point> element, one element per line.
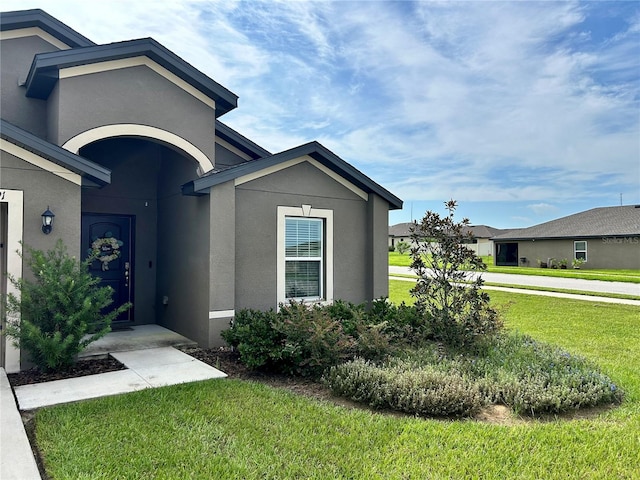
<point>17,56</point>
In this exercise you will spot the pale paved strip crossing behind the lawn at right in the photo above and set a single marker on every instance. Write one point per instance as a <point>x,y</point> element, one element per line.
<point>548,282</point>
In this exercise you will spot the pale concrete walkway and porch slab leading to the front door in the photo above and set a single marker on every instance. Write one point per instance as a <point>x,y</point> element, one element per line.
<point>150,363</point>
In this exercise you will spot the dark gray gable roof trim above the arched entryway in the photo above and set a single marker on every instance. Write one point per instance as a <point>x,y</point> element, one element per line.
<point>43,74</point>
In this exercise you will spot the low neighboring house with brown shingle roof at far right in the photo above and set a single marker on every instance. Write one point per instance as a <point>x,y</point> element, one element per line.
<point>606,237</point>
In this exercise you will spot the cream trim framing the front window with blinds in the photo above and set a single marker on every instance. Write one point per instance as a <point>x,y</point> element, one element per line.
<point>308,212</point>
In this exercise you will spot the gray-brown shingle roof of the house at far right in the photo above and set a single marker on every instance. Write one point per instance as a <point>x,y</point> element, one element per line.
<point>597,222</point>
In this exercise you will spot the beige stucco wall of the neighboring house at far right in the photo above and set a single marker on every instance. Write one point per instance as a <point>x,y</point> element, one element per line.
<point>602,252</point>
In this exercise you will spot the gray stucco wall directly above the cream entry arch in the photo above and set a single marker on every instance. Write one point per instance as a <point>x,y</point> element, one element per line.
<point>135,95</point>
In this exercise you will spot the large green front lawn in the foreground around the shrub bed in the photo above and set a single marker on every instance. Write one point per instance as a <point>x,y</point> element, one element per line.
<point>235,429</point>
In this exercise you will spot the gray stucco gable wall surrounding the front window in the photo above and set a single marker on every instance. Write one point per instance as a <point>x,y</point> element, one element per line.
<point>256,230</point>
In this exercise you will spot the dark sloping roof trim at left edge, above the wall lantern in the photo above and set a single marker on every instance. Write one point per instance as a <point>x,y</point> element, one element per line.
<point>91,173</point>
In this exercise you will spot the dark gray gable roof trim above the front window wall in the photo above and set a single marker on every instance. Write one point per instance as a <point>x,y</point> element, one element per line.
<point>313,149</point>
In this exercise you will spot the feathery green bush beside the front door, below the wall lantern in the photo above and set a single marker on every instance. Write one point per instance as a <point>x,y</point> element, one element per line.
<point>61,311</point>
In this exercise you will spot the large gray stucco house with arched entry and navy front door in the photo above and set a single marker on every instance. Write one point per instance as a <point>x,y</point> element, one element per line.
<point>123,144</point>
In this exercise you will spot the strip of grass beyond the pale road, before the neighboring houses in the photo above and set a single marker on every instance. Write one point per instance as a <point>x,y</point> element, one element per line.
<point>628,276</point>
